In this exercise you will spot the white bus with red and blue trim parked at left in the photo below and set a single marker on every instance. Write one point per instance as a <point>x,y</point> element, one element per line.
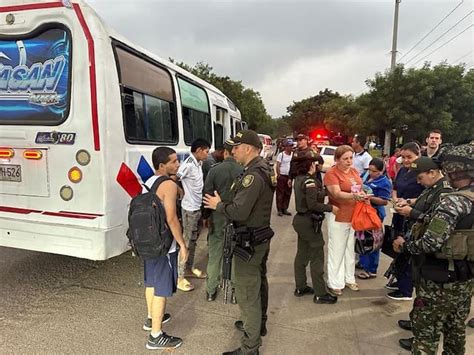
<point>81,110</point>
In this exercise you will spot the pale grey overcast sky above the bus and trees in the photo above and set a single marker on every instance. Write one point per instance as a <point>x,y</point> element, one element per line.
<point>290,49</point>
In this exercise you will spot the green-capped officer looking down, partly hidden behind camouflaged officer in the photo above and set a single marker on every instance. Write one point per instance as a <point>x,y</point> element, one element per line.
<point>429,175</point>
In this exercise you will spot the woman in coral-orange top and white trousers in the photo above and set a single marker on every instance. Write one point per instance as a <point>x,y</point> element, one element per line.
<point>344,187</point>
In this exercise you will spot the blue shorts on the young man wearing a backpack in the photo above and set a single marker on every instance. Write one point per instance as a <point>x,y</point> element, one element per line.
<point>162,274</point>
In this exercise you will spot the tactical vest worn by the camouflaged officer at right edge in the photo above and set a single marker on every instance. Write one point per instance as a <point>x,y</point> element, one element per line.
<point>460,244</point>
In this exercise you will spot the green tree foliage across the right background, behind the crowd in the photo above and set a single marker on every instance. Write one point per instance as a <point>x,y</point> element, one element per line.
<point>408,101</point>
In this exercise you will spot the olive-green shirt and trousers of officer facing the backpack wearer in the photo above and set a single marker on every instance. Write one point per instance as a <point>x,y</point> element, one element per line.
<point>251,207</point>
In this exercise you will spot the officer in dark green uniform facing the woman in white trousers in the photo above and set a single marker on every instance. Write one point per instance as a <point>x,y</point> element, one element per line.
<point>310,207</point>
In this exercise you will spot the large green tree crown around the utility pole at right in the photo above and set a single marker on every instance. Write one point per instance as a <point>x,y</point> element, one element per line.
<point>413,101</point>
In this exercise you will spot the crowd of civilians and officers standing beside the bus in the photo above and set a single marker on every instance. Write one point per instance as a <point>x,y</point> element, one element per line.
<point>429,207</point>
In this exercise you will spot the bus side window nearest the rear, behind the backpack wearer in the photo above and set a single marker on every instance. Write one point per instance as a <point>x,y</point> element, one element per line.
<point>149,107</point>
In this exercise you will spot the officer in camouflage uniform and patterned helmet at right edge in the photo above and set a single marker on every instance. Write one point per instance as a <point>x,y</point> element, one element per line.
<point>443,297</point>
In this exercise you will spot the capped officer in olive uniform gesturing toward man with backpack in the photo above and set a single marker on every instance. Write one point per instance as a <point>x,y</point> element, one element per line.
<point>250,210</point>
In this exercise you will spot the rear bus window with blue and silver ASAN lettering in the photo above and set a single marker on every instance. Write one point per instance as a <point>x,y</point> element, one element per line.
<point>35,77</point>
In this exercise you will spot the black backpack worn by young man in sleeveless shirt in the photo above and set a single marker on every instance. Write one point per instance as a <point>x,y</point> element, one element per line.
<point>148,232</point>
